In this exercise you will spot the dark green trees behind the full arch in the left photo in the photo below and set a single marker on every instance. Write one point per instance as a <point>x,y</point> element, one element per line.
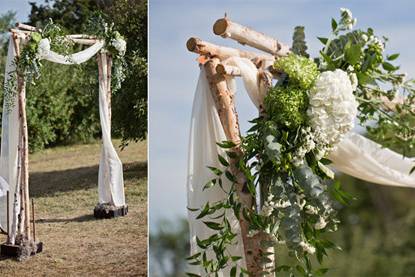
<point>63,105</point>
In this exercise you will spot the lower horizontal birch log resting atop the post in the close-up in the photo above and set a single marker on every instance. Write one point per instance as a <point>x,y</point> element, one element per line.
<point>212,50</point>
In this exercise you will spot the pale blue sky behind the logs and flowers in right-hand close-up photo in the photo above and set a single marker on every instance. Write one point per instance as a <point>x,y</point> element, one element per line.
<point>173,71</point>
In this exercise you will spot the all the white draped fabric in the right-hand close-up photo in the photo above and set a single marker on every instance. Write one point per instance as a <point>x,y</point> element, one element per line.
<point>355,155</point>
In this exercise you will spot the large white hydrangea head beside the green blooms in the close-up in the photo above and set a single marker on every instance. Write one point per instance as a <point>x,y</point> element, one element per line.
<point>332,109</point>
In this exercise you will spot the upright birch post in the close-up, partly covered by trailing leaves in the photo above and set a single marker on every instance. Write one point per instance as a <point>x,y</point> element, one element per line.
<point>225,105</point>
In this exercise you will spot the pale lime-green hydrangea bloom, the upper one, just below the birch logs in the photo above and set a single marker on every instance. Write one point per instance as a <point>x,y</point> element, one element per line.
<point>301,70</point>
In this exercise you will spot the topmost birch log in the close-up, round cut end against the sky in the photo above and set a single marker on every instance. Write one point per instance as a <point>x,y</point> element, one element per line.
<point>245,35</point>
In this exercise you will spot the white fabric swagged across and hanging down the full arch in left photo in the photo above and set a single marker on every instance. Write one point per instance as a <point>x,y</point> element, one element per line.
<point>110,179</point>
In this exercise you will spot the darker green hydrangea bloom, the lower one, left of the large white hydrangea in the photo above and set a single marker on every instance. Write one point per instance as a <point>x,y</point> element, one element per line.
<point>287,105</point>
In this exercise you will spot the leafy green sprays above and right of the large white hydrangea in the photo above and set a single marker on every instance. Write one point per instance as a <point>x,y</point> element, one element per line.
<point>361,53</point>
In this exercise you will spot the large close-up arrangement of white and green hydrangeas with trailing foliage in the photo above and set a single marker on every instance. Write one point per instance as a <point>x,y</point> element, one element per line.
<point>309,111</point>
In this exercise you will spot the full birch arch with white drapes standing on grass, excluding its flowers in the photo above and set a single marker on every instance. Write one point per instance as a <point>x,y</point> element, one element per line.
<point>16,212</point>
